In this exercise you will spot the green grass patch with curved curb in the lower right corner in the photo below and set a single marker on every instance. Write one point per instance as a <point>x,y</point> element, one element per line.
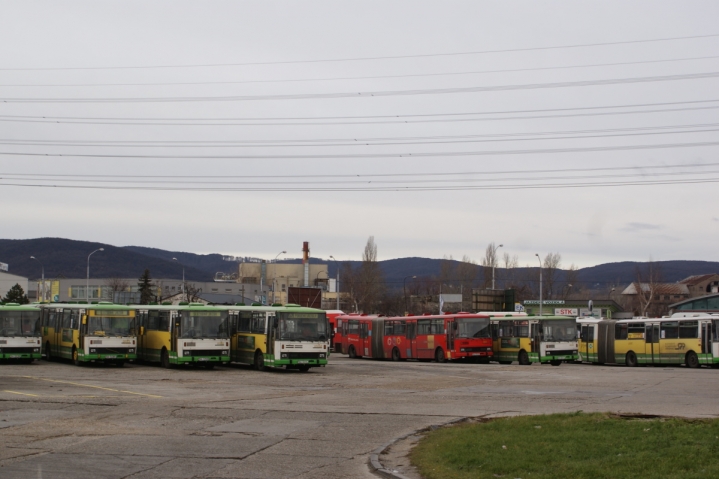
<point>575,445</point>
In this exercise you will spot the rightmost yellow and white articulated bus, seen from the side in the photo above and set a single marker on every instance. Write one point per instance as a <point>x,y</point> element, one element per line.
<point>684,338</point>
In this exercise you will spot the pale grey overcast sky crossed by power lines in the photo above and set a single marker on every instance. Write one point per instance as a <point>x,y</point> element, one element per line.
<point>437,127</point>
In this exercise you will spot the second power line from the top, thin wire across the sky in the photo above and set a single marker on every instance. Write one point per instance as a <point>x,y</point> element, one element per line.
<point>373,77</point>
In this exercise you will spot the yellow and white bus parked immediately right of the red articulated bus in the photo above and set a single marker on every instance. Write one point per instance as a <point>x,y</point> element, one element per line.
<point>535,339</point>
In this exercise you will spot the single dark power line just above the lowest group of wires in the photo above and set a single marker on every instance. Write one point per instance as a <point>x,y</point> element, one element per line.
<point>375,155</point>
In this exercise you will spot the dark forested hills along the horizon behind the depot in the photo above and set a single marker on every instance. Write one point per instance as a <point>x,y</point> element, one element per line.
<point>68,258</point>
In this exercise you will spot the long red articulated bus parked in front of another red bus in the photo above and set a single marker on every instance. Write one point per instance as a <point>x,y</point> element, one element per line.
<point>438,337</point>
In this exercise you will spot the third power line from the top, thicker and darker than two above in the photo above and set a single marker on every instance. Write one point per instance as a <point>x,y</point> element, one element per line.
<point>371,94</point>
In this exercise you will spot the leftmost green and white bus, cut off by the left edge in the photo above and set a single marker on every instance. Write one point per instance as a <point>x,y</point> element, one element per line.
<point>20,332</point>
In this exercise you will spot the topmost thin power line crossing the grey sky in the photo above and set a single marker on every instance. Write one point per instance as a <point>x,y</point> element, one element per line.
<point>392,57</point>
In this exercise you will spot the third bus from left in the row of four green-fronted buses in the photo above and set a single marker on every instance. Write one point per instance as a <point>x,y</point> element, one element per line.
<point>183,334</point>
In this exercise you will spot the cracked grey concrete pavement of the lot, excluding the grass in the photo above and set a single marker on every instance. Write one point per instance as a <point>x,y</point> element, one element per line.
<point>61,421</point>
